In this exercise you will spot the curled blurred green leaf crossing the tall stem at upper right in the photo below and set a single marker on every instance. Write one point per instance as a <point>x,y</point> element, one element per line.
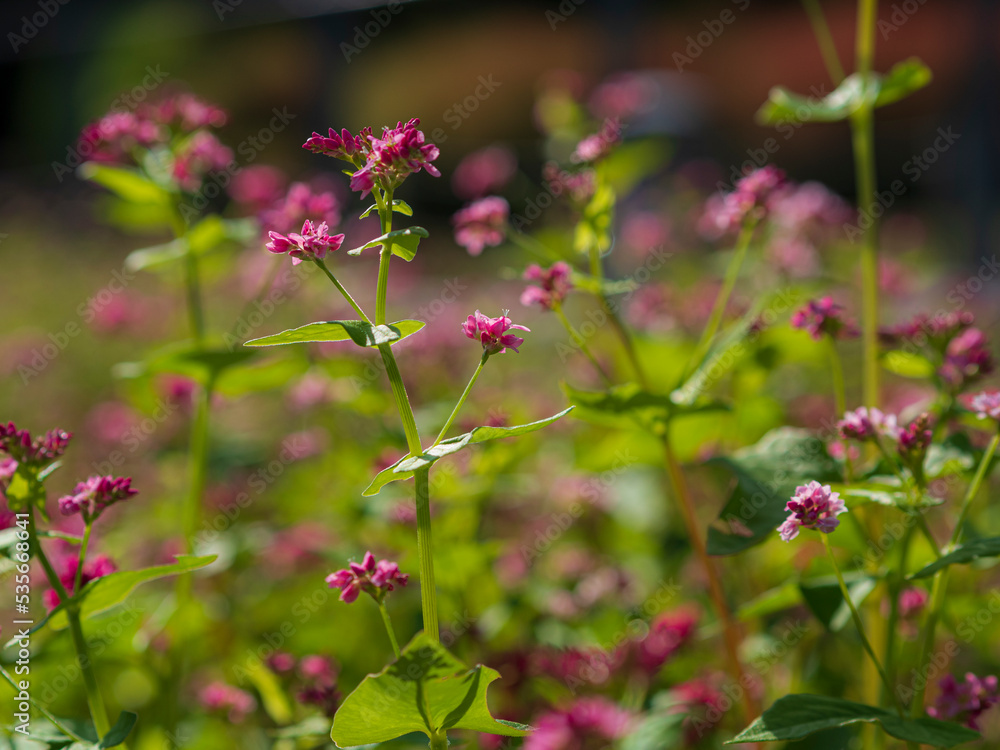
<point>903,79</point>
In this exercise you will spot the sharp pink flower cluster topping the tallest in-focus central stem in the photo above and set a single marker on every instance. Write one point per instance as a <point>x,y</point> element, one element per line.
<point>384,162</point>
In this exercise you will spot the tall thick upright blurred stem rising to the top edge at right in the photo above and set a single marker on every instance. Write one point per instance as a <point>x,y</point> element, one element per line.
<point>863,142</point>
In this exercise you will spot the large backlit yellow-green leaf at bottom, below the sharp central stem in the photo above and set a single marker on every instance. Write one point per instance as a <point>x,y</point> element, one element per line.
<point>426,690</point>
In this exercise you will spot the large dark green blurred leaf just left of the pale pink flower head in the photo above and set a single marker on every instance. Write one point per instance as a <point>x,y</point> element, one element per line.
<point>767,474</point>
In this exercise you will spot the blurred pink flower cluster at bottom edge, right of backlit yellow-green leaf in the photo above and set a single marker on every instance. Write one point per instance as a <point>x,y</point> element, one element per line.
<point>588,722</point>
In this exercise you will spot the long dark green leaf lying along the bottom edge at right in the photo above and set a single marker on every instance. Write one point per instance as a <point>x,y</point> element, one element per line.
<point>796,716</point>
